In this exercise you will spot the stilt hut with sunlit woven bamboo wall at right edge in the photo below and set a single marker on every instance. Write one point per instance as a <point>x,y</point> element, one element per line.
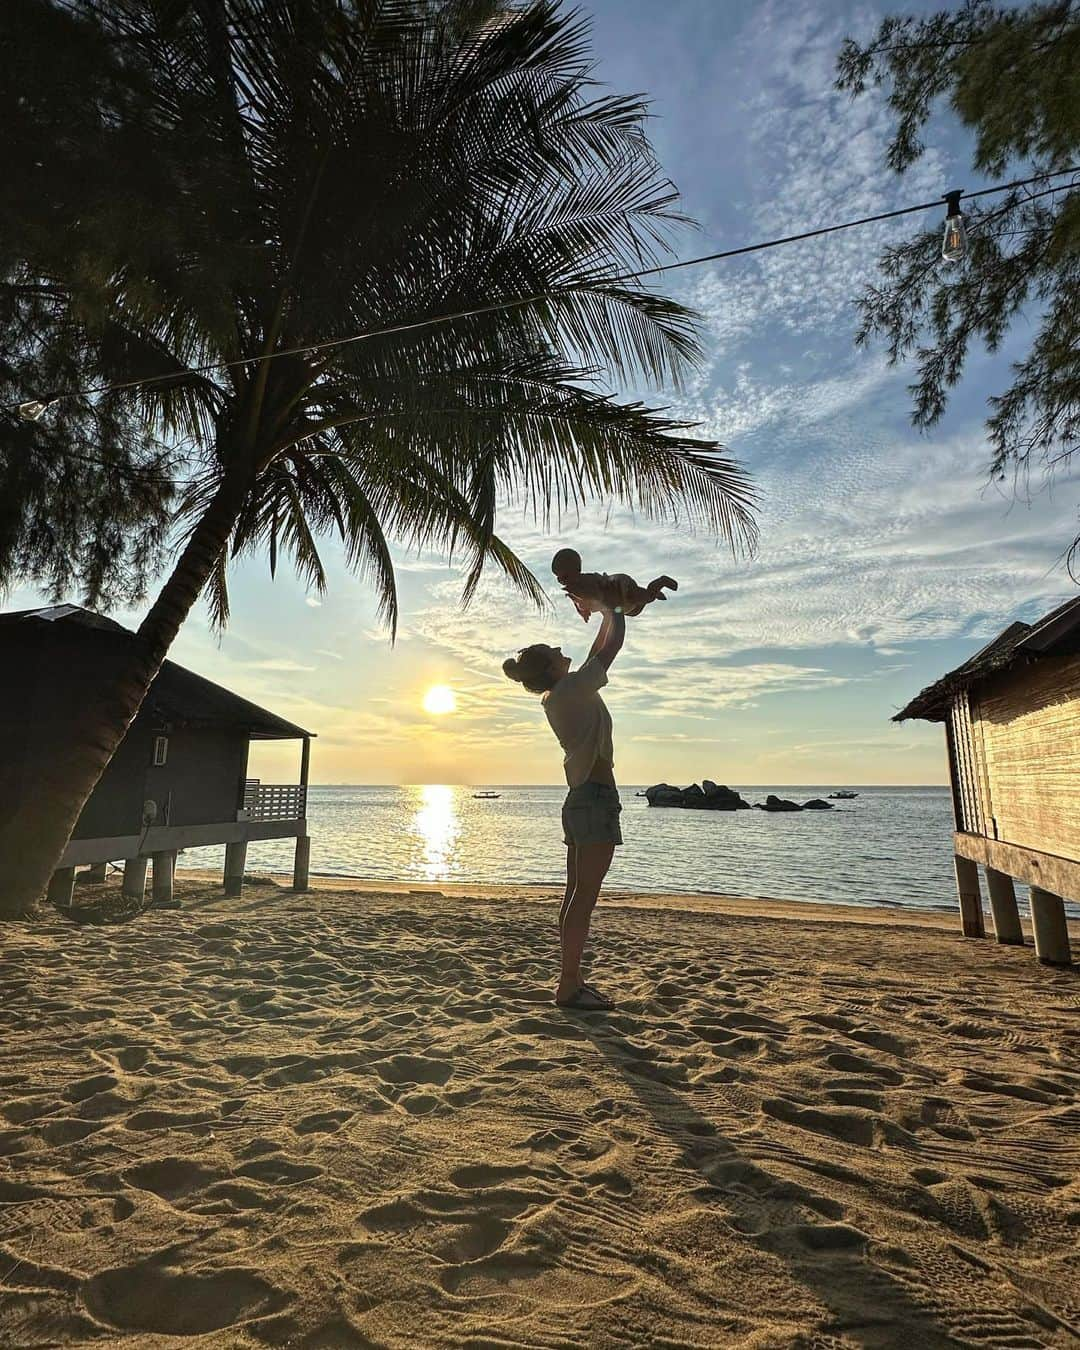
<point>1012,719</point>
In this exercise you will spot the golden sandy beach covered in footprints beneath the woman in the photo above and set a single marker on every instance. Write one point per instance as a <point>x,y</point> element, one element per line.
<point>354,1118</point>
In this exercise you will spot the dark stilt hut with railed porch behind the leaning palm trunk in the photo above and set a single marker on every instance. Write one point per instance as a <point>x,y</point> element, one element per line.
<point>179,780</point>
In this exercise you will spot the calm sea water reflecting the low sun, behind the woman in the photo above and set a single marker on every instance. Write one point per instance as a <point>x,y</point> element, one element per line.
<point>892,846</point>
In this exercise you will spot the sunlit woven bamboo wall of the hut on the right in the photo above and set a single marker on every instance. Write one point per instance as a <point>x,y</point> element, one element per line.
<point>1025,731</point>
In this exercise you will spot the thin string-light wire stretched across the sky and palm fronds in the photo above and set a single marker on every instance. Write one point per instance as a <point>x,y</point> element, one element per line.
<point>308,348</point>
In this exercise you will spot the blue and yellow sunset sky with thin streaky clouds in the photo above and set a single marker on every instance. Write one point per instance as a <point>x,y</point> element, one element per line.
<point>885,558</point>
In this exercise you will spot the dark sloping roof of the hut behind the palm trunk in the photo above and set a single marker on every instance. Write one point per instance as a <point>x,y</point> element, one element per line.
<point>178,695</point>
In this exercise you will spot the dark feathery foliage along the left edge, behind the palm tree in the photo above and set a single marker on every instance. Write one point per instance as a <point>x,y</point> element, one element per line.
<point>87,493</point>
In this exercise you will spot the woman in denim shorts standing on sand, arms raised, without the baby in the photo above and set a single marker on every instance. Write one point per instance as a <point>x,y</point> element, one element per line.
<point>591,813</point>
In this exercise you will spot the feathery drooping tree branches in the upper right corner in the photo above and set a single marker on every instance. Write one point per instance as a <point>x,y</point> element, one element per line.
<point>1012,75</point>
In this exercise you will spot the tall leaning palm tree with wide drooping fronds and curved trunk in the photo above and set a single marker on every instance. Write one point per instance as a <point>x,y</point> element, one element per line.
<point>442,180</point>
